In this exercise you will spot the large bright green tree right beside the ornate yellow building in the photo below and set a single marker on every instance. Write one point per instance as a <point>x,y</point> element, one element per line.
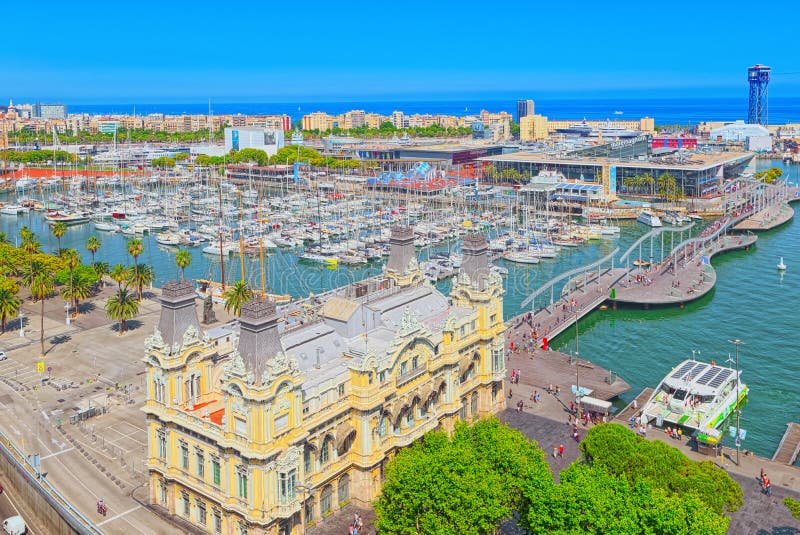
<point>467,483</point>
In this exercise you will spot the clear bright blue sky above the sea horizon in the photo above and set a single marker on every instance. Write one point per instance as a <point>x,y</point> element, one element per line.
<point>120,51</point>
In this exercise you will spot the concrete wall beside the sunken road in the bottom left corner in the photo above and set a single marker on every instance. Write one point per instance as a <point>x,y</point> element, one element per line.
<point>52,513</point>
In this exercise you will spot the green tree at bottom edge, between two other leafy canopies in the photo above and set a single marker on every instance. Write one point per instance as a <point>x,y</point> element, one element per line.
<point>591,500</point>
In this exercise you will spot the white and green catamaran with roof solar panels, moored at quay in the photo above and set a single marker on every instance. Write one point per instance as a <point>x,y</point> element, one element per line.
<point>696,395</point>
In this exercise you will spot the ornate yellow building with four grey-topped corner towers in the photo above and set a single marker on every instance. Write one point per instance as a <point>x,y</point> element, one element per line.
<point>258,428</point>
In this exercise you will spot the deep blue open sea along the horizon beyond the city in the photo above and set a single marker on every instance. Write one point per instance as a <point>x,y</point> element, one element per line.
<point>665,111</point>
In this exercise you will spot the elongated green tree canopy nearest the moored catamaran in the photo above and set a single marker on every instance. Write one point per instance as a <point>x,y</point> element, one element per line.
<point>623,453</point>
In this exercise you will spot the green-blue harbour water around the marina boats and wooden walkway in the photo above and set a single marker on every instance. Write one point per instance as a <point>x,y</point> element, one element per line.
<point>751,301</point>
